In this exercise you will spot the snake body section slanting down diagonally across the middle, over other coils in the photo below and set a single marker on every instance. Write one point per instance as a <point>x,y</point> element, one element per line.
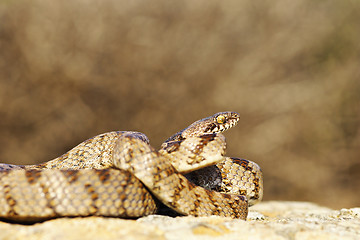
<point>171,187</point>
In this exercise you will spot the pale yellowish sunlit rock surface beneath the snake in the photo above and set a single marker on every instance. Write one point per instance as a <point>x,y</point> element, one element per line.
<point>268,220</point>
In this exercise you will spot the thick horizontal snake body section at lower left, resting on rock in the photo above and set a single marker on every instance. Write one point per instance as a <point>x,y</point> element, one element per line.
<point>41,194</point>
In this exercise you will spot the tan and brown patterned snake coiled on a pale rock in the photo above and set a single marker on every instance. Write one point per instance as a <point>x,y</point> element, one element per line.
<point>119,174</point>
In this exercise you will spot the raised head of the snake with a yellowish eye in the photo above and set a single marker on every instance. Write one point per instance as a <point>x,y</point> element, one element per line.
<point>216,123</point>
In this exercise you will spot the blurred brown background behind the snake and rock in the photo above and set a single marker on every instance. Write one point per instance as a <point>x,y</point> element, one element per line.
<point>70,70</point>
